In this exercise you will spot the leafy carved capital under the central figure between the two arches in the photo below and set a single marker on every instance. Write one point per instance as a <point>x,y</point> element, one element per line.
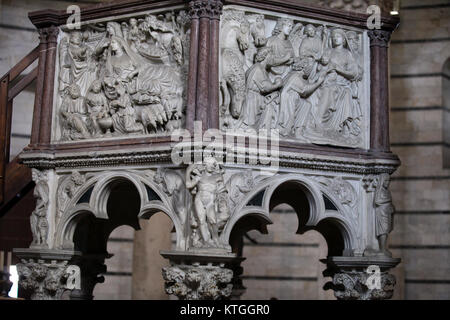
<point>189,282</point>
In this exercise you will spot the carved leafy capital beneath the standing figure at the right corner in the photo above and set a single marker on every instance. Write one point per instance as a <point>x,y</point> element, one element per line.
<point>361,285</point>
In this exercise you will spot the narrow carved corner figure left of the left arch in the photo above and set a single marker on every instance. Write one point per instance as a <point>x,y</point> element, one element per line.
<point>38,219</point>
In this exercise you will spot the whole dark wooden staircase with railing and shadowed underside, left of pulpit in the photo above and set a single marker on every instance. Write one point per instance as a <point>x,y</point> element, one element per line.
<point>16,187</point>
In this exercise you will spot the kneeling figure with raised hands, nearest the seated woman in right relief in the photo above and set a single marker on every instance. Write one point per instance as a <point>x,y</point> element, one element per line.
<point>294,107</point>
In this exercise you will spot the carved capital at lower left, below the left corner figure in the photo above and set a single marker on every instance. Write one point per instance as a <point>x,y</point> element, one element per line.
<point>46,280</point>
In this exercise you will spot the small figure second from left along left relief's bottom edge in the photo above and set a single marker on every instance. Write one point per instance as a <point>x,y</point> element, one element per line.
<point>98,108</point>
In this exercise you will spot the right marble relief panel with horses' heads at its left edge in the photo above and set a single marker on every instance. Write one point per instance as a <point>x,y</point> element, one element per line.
<point>304,79</point>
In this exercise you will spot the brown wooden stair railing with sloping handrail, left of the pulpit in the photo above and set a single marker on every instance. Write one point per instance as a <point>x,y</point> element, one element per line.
<point>14,177</point>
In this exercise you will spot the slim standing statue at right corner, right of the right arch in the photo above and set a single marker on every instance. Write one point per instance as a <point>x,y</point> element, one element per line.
<point>384,210</point>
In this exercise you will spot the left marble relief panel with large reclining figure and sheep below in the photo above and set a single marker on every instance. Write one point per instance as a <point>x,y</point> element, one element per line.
<point>123,77</point>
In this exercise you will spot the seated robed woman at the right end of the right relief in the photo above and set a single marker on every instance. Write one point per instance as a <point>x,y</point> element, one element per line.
<point>340,112</point>
